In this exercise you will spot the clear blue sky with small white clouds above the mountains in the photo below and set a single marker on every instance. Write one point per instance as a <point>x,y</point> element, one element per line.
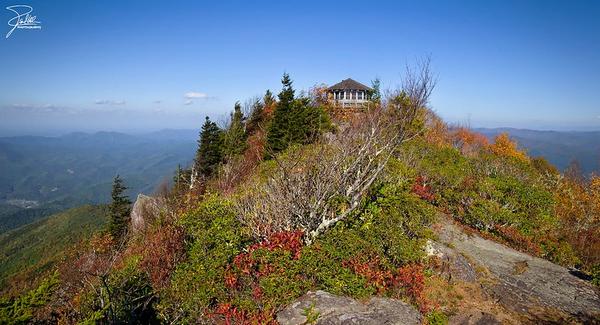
<point>128,65</point>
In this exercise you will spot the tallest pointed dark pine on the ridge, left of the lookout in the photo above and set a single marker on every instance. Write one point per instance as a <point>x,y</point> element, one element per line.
<point>278,132</point>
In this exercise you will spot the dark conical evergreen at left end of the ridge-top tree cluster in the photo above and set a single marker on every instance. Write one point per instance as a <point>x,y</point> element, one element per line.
<point>210,149</point>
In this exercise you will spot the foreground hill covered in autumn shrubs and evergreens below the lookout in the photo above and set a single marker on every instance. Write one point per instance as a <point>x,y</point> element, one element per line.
<point>294,198</point>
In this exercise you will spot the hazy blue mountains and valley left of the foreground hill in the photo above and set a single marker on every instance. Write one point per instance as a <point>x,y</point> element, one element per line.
<point>77,168</point>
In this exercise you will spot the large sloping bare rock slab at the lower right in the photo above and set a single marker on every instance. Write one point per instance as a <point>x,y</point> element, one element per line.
<point>533,287</point>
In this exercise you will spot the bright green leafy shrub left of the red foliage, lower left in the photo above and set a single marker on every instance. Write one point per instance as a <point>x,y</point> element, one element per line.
<point>215,238</point>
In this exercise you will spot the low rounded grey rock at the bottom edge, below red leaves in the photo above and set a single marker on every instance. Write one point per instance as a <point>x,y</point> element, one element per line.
<point>325,309</point>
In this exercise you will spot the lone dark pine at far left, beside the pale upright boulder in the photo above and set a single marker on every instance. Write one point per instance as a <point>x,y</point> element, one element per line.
<point>119,209</point>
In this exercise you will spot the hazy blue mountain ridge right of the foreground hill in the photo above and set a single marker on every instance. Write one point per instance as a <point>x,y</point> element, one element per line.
<point>558,147</point>
